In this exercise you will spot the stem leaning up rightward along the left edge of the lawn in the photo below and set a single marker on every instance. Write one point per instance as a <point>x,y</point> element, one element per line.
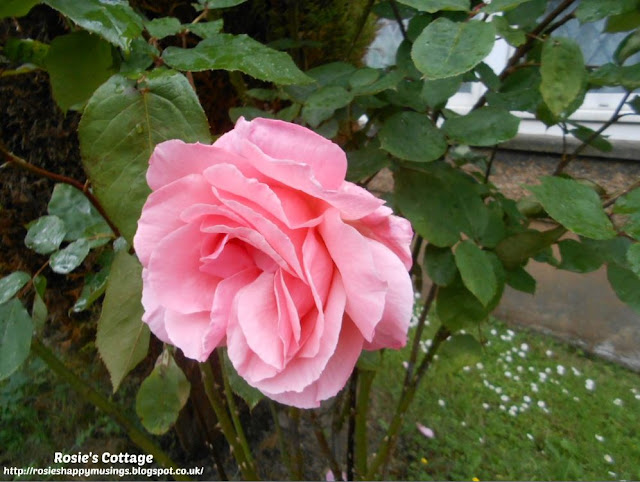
<point>408,392</point>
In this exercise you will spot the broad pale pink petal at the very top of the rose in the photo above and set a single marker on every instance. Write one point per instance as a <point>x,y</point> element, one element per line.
<point>288,144</point>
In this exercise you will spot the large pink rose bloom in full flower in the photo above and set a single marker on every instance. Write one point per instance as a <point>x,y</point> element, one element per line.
<point>259,243</point>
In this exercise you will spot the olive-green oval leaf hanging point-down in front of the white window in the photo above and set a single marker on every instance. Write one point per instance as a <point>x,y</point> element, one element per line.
<point>563,73</point>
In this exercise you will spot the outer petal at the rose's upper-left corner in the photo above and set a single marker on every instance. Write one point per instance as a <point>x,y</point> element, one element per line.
<point>174,159</point>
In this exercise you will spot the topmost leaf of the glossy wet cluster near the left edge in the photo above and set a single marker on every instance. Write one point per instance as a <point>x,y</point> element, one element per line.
<point>77,213</point>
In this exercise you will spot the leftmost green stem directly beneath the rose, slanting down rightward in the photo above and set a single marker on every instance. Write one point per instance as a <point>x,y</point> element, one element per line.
<point>226,425</point>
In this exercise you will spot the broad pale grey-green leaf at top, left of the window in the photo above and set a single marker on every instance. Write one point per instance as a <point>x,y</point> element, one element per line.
<point>446,48</point>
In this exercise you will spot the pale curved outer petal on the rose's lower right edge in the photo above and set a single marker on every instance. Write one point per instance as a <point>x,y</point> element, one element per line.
<point>391,331</point>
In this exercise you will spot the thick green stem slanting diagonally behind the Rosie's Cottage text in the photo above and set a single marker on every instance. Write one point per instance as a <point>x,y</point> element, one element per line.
<point>137,436</point>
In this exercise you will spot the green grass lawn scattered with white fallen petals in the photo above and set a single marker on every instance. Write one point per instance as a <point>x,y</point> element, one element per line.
<point>532,409</point>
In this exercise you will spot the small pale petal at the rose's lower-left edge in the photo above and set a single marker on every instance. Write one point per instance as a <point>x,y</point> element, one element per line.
<point>187,331</point>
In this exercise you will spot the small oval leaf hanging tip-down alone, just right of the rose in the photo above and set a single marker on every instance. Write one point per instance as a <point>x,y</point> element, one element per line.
<point>476,271</point>
